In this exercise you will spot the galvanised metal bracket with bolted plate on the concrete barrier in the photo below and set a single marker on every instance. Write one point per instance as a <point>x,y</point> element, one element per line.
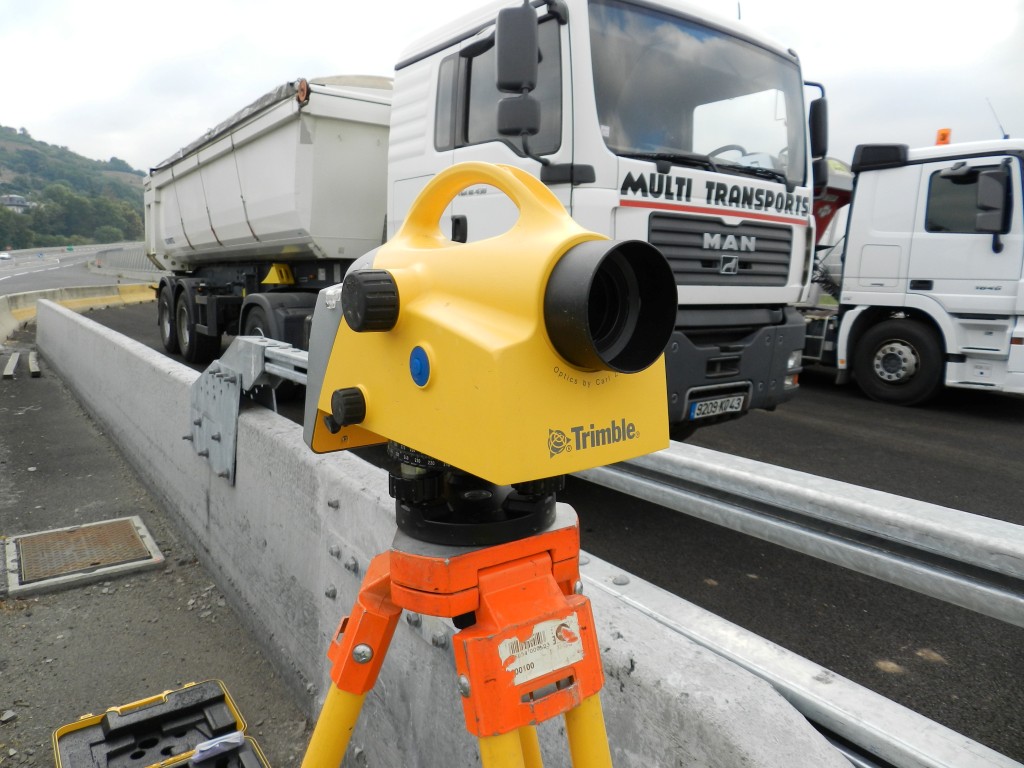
<point>253,366</point>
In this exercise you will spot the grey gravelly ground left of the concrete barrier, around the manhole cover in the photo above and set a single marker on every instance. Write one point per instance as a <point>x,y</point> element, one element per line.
<point>89,648</point>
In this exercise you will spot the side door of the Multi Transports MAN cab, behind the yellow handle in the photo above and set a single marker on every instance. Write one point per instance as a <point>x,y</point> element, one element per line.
<point>482,211</point>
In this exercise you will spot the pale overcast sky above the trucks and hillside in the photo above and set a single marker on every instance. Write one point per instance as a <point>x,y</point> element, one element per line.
<point>117,78</point>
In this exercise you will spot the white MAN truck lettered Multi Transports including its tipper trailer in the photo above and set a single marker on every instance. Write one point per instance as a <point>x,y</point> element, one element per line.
<point>648,119</point>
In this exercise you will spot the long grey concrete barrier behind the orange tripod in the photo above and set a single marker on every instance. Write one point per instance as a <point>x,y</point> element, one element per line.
<point>290,541</point>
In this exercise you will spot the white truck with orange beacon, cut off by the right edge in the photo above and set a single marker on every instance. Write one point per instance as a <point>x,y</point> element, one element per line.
<point>931,288</point>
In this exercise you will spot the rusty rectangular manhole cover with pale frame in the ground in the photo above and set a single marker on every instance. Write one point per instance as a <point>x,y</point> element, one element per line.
<point>55,559</point>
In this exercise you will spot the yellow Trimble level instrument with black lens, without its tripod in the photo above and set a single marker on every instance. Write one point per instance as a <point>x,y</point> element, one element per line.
<point>523,357</point>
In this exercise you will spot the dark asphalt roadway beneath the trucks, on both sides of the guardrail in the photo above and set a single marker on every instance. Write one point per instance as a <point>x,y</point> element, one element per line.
<point>964,451</point>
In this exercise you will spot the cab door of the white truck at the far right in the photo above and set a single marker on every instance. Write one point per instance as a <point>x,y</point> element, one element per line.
<point>952,262</point>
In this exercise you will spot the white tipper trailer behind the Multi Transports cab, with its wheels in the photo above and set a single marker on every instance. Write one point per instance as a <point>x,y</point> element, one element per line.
<point>258,216</point>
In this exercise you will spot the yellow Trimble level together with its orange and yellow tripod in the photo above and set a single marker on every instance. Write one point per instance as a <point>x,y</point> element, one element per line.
<point>492,369</point>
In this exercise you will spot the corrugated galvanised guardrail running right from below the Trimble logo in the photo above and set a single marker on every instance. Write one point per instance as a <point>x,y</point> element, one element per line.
<point>969,561</point>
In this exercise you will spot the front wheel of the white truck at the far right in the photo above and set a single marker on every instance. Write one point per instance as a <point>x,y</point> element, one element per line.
<point>900,362</point>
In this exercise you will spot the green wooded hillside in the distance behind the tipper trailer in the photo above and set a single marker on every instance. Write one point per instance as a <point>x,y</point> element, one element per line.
<point>68,199</point>
